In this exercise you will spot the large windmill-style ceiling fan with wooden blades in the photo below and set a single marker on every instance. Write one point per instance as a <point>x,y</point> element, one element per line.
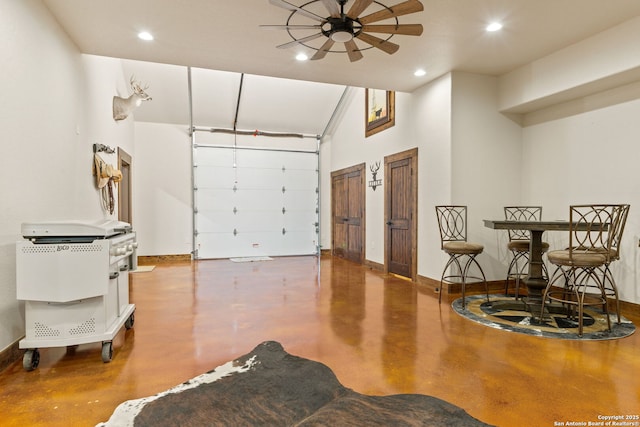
<point>341,27</point>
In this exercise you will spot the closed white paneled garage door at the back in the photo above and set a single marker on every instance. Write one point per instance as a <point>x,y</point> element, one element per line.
<point>267,205</point>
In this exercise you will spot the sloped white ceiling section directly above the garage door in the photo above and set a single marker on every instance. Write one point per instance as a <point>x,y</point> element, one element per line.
<point>267,104</point>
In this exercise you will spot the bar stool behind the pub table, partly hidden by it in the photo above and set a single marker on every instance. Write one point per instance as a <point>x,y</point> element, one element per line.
<point>519,241</point>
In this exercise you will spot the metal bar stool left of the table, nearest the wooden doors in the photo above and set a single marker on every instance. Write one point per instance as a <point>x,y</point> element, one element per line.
<point>452,221</point>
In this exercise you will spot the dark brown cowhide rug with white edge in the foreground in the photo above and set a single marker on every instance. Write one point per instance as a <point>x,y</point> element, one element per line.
<point>269,387</point>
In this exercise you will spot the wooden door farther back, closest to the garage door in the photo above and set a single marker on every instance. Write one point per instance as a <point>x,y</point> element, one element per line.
<point>347,200</point>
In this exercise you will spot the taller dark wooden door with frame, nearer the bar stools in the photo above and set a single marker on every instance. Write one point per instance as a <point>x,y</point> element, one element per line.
<point>401,190</point>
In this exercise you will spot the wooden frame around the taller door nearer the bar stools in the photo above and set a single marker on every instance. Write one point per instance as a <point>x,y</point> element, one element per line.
<point>411,154</point>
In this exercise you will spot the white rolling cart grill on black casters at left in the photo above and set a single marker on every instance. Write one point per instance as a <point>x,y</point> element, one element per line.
<point>74,279</point>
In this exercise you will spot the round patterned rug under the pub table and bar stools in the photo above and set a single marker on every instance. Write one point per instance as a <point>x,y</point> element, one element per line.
<point>555,326</point>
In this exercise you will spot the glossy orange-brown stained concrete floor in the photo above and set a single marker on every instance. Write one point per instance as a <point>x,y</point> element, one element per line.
<point>379,334</point>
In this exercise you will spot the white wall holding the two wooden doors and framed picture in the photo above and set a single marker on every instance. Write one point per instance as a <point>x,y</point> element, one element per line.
<point>423,120</point>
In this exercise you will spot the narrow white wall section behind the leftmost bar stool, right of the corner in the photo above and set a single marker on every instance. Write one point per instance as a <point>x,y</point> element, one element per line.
<point>486,164</point>
